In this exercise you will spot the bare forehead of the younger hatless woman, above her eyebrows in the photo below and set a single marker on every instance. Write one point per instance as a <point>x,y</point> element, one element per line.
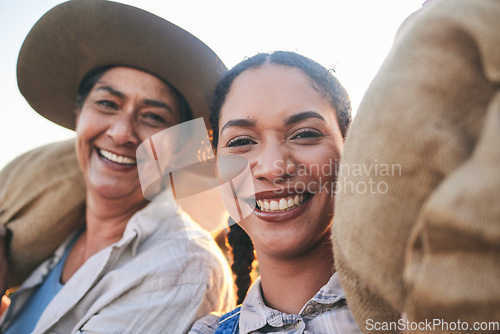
<point>272,93</point>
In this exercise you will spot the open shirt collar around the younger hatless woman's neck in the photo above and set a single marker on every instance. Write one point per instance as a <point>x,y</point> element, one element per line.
<point>255,314</point>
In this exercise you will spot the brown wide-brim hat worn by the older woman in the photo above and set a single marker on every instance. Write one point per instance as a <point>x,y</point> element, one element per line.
<point>80,35</point>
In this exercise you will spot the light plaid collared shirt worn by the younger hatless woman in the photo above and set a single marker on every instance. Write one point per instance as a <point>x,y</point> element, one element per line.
<point>326,312</point>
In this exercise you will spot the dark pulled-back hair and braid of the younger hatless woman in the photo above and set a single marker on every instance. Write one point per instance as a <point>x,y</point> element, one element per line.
<point>325,83</point>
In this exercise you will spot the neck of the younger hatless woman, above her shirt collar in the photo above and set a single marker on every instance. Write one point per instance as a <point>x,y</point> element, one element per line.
<point>288,284</point>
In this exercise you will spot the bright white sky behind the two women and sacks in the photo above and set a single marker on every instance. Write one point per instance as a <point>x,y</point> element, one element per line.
<point>352,35</point>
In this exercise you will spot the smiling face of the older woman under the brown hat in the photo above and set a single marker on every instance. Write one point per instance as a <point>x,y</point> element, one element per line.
<point>125,107</point>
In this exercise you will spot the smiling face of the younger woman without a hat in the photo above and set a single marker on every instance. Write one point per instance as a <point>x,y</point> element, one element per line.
<point>274,117</point>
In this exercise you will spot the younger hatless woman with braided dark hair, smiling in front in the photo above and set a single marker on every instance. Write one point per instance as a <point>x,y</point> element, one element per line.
<point>288,116</point>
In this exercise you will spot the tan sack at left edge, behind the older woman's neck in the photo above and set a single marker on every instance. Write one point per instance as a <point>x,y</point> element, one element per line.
<point>42,198</point>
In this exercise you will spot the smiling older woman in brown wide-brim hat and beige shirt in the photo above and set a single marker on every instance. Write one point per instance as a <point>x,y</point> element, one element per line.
<point>118,75</point>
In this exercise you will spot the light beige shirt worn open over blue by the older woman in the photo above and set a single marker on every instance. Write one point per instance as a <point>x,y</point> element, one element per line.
<point>163,274</point>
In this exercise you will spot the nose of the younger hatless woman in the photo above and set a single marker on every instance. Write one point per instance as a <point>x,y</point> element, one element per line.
<point>273,163</point>
